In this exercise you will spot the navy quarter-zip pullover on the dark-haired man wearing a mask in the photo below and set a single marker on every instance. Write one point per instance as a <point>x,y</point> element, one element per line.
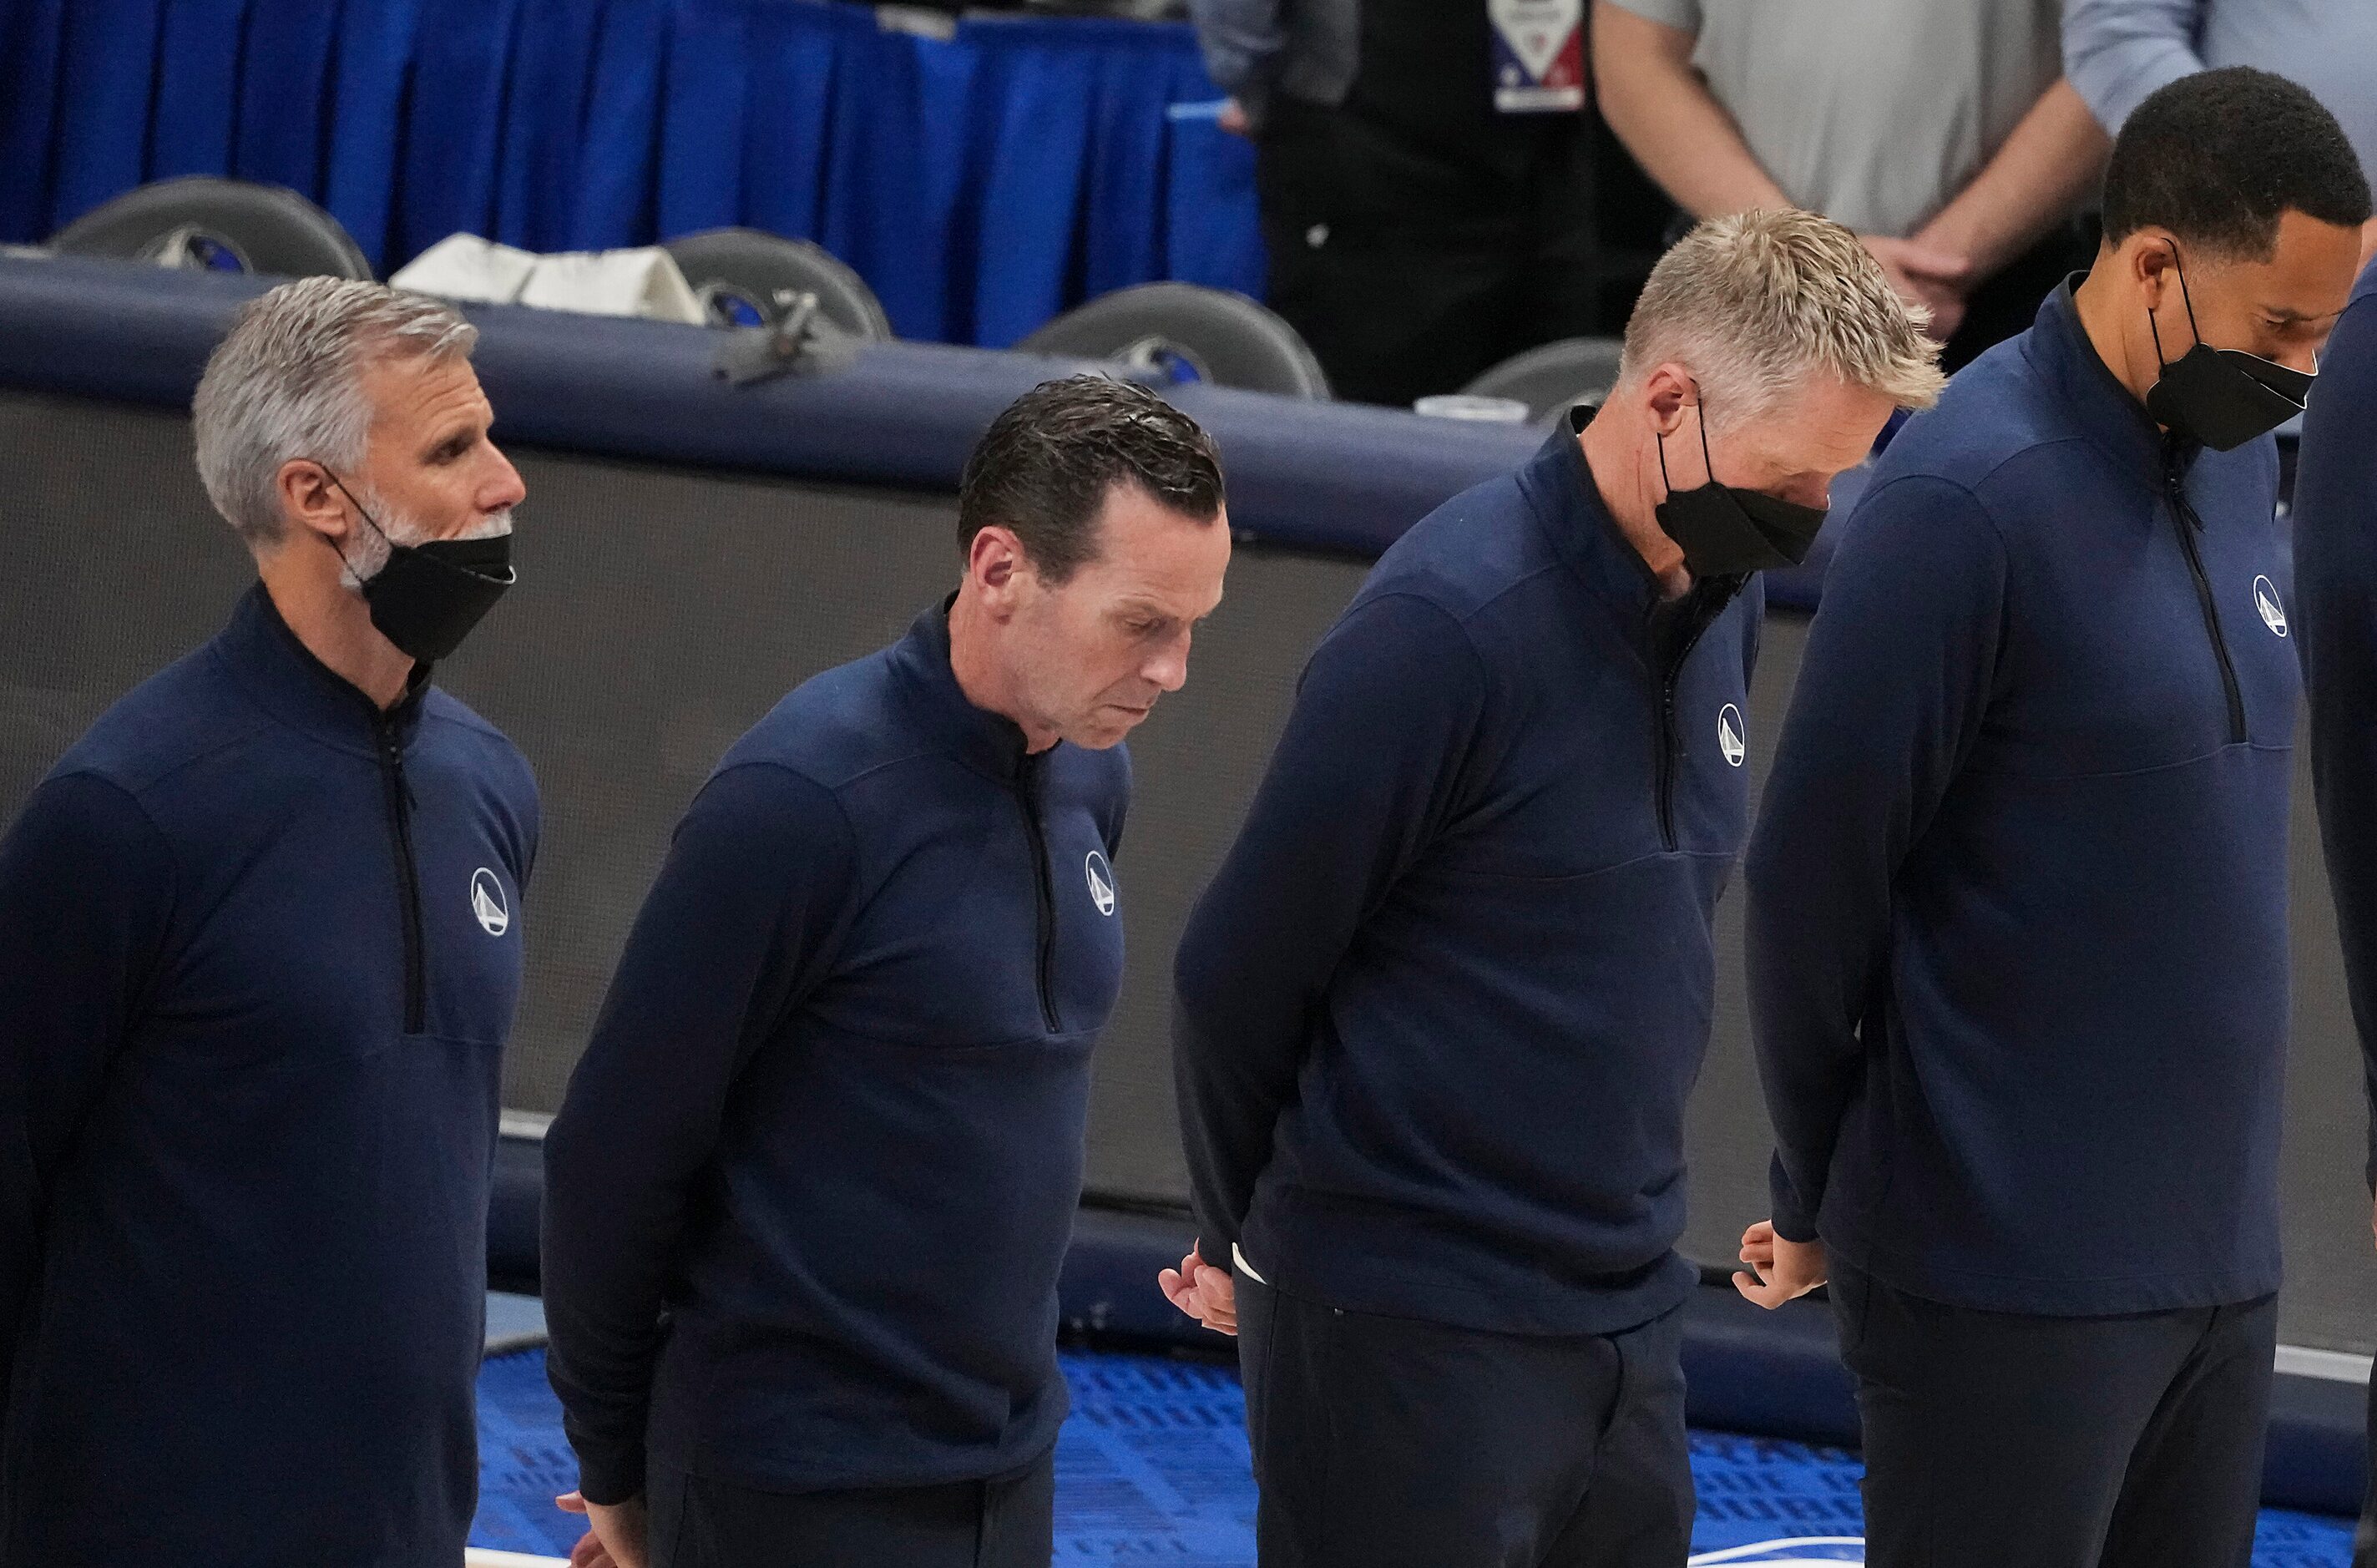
<point>2019,887</point>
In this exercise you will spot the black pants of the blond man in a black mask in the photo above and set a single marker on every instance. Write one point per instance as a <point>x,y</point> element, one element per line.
<point>1385,1443</point>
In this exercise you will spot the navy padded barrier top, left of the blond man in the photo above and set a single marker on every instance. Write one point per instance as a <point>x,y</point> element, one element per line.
<point>1316,476</point>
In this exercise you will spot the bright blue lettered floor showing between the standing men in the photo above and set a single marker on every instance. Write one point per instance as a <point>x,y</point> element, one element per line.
<point>1152,1467</point>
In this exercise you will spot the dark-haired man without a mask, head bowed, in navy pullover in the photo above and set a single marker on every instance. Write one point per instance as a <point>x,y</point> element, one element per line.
<point>812,1184</point>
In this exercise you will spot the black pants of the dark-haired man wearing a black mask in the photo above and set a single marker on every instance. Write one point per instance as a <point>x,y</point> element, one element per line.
<point>2057,1443</point>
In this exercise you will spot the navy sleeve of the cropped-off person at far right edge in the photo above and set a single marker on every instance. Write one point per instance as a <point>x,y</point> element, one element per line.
<point>2335,631</point>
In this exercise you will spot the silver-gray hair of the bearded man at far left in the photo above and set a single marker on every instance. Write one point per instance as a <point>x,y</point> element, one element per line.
<point>289,384</point>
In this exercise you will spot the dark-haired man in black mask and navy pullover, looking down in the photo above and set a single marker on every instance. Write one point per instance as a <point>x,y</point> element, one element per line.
<point>2019,890</point>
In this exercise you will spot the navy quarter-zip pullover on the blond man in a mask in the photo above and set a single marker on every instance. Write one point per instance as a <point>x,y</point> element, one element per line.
<point>1444,1001</point>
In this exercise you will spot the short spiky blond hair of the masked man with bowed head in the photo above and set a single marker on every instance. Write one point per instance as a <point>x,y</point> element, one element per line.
<point>1758,303</point>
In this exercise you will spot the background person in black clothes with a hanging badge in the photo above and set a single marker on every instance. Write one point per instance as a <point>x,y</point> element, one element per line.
<point>1427,179</point>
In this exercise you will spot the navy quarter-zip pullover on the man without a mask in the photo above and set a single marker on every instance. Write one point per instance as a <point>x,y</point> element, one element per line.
<point>814,1177</point>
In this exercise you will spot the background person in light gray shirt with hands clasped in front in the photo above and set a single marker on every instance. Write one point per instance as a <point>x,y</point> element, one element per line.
<point>1938,129</point>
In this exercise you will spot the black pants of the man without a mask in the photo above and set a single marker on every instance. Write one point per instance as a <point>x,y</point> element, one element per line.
<point>971,1524</point>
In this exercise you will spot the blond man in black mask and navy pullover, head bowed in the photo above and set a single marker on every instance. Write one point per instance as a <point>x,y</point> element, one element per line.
<point>1442,1009</point>
